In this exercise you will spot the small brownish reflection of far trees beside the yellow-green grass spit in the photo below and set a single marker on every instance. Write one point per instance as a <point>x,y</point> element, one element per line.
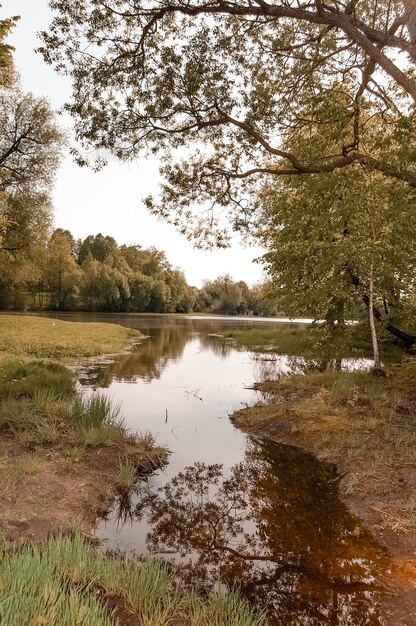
<point>147,361</point>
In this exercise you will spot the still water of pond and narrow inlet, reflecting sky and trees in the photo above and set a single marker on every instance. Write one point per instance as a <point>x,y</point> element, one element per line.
<point>228,508</point>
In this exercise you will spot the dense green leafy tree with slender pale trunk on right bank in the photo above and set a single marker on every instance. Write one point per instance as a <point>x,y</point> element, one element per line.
<point>339,240</point>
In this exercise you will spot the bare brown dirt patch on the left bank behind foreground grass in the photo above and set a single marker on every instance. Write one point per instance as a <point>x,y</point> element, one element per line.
<point>56,494</point>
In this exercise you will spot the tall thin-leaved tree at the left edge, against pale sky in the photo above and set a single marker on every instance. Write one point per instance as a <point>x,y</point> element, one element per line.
<point>30,147</point>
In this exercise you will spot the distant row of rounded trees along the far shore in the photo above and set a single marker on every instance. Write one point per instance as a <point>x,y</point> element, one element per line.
<point>97,274</point>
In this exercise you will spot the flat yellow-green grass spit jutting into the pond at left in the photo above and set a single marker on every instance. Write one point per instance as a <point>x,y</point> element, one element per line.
<point>45,338</point>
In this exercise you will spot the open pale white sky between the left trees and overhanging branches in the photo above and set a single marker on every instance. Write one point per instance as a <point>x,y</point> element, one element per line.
<point>110,201</point>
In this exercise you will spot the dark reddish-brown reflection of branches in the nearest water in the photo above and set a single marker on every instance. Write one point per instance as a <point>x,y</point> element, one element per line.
<point>276,527</point>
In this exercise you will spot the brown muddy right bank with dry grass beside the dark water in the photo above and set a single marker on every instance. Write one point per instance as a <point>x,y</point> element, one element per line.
<point>365,428</point>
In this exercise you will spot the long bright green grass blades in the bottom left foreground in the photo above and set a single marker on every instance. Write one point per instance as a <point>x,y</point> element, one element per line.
<point>65,582</point>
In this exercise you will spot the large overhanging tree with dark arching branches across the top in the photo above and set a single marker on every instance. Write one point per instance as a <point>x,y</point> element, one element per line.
<point>242,79</point>
